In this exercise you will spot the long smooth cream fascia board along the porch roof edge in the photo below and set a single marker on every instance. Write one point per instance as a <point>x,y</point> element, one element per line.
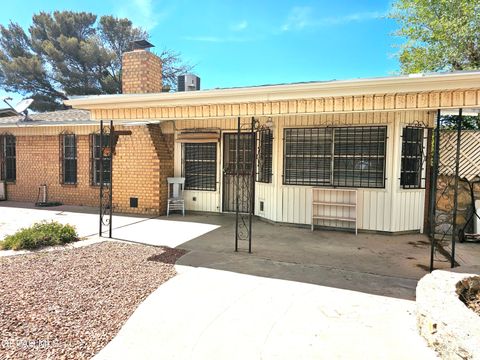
<point>388,85</point>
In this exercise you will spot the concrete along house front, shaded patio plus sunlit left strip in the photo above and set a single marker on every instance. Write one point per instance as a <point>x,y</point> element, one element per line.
<point>371,263</point>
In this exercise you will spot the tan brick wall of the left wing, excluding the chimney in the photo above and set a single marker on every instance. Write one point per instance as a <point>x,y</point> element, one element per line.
<point>141,164</point>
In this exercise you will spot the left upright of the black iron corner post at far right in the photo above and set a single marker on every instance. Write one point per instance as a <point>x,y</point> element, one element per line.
<point>433,189</point>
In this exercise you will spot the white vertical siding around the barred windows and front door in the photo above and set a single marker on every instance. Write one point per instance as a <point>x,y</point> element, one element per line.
<point>390,209</point>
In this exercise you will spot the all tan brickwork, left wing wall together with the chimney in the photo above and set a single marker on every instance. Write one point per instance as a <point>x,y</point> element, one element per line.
<point>141,162</point>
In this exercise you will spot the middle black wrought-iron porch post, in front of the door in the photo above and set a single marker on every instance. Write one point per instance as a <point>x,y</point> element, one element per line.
<point>246,173</point>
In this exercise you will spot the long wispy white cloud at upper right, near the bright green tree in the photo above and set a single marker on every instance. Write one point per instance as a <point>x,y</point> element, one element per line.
<point>301,17</point>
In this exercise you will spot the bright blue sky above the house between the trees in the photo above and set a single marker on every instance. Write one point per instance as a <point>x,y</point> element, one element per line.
<point>241,43</point>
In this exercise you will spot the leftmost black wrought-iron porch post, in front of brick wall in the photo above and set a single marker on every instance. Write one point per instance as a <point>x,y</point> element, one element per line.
<point>106,152</point>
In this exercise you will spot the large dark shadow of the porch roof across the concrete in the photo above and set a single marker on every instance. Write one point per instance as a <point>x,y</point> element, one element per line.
<point>388,265</point>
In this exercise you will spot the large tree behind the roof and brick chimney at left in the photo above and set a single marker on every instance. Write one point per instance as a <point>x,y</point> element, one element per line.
<point>71,53</point>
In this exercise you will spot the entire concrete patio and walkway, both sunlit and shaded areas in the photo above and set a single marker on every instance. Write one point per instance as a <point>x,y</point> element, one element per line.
<point>291,298</point>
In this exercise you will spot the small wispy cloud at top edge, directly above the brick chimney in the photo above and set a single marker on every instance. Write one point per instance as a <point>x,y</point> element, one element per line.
<point>141,12</point>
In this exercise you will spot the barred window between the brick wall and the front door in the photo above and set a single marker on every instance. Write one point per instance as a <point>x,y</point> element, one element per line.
<point>205,183</point>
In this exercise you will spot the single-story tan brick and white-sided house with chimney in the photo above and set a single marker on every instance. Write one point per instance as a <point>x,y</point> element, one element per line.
<point>328,152</point>
